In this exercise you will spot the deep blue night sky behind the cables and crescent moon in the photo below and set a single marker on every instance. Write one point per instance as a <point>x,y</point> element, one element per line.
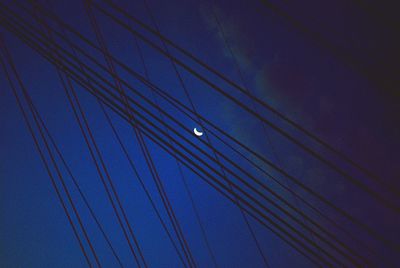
<point>348,99</point>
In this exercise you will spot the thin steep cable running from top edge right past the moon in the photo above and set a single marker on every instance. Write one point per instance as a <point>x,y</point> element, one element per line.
<point>182,84</point>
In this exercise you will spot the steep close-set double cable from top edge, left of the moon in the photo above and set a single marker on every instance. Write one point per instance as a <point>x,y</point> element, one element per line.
<point>143,146</point>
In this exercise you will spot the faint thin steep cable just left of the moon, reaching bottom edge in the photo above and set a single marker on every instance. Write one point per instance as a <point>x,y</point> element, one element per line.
<point>182,176</point>
